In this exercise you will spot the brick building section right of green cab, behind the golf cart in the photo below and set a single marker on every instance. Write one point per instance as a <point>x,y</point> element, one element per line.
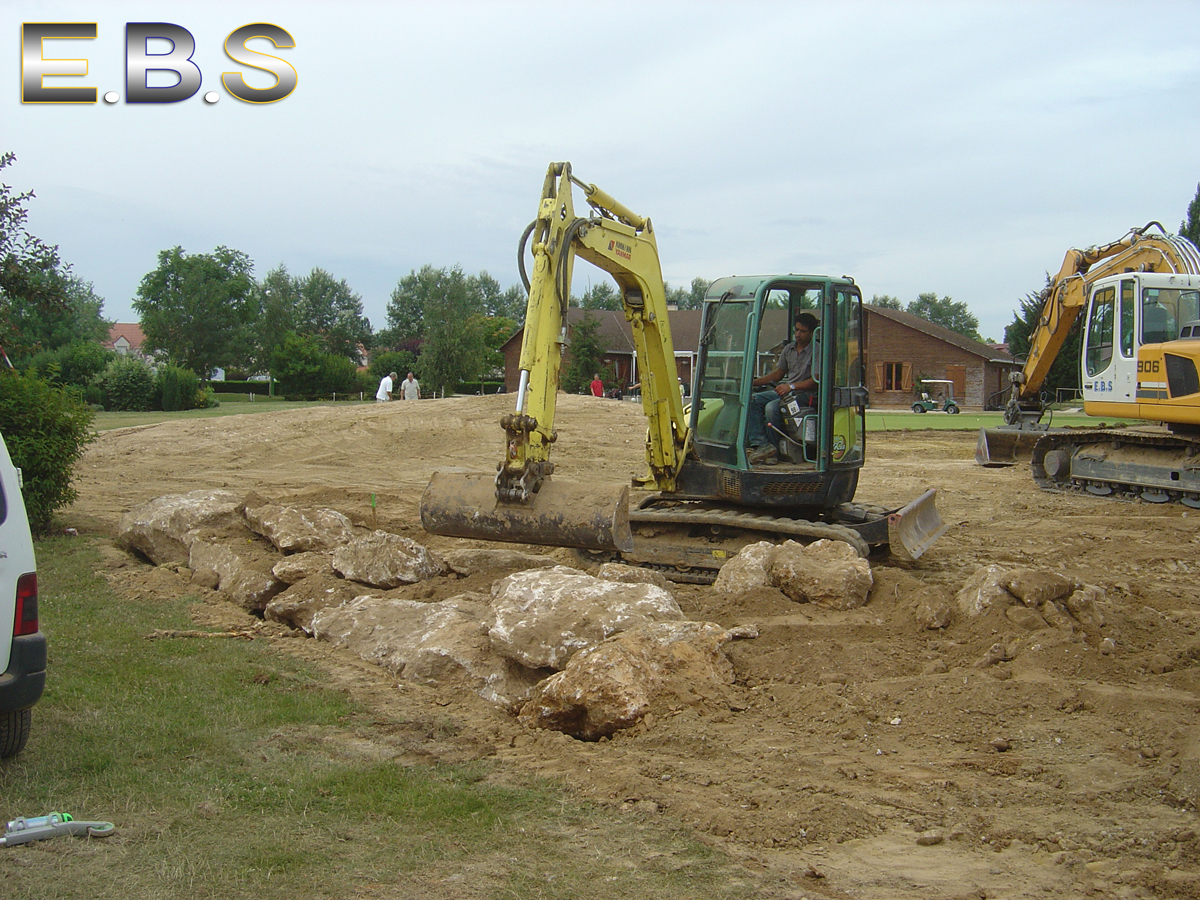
<point>902,350</point>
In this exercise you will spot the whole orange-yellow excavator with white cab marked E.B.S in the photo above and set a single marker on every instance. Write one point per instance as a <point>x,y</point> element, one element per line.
<point>1141,301</point>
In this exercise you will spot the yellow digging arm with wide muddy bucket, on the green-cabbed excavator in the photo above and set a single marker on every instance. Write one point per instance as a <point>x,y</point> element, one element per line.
<point>524,505</point>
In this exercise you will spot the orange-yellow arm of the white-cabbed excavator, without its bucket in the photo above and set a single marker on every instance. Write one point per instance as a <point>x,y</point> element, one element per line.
<point>1067,295</point>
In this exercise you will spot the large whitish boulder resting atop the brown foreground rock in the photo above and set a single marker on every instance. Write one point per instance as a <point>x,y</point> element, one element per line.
<point>545,616</point>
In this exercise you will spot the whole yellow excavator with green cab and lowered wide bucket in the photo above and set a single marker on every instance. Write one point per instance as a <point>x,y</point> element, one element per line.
<point>701,500</point>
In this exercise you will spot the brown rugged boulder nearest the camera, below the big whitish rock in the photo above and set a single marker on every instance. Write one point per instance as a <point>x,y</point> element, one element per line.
<point>614,686</point>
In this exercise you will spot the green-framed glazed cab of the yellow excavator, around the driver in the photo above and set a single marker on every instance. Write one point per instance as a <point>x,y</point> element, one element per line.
<point>747,323</point>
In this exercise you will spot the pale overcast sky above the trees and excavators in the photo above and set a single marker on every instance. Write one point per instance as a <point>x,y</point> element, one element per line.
<point>959,148</point>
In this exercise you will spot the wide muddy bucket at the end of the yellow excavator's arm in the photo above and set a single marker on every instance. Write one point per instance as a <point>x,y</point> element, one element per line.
<point>563,514</point>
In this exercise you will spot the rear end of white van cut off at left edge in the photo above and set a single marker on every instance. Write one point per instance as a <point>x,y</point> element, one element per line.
<point>22,644</point>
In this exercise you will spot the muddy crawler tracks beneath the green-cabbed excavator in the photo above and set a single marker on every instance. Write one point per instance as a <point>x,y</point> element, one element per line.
<point>689,542</point>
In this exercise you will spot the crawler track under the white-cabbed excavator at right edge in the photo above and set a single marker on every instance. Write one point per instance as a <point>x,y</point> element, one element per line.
<point>1156,467</point>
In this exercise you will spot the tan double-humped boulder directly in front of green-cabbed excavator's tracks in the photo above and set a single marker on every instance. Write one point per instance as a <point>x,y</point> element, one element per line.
<point>826,573</point>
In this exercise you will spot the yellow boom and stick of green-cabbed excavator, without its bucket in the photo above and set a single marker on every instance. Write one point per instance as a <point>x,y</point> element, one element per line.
<point>622,244</point>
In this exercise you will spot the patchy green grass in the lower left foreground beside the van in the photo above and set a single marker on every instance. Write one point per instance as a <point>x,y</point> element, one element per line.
<point>235,771</point>
